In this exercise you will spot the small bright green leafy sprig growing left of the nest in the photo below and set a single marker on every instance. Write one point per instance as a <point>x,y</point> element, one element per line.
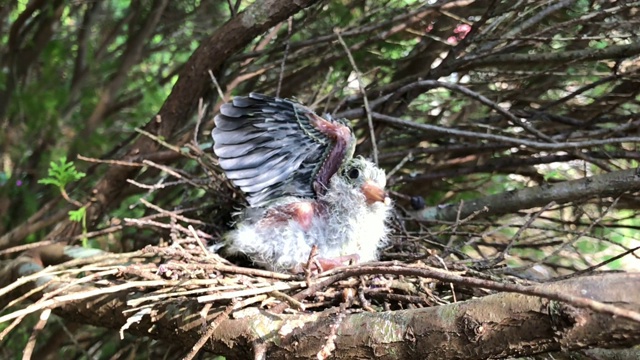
<point>60,175</point>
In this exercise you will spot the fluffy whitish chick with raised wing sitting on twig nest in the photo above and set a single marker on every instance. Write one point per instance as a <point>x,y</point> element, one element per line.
<point>303,185</point>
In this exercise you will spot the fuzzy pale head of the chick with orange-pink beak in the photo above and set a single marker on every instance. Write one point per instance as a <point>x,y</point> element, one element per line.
<point>364,176</point>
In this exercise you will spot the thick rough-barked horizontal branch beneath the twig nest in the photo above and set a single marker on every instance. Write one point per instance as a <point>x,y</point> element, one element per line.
<point>495,326</point>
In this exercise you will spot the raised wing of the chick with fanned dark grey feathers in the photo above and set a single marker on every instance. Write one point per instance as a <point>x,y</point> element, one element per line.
<point>271,147</point>
